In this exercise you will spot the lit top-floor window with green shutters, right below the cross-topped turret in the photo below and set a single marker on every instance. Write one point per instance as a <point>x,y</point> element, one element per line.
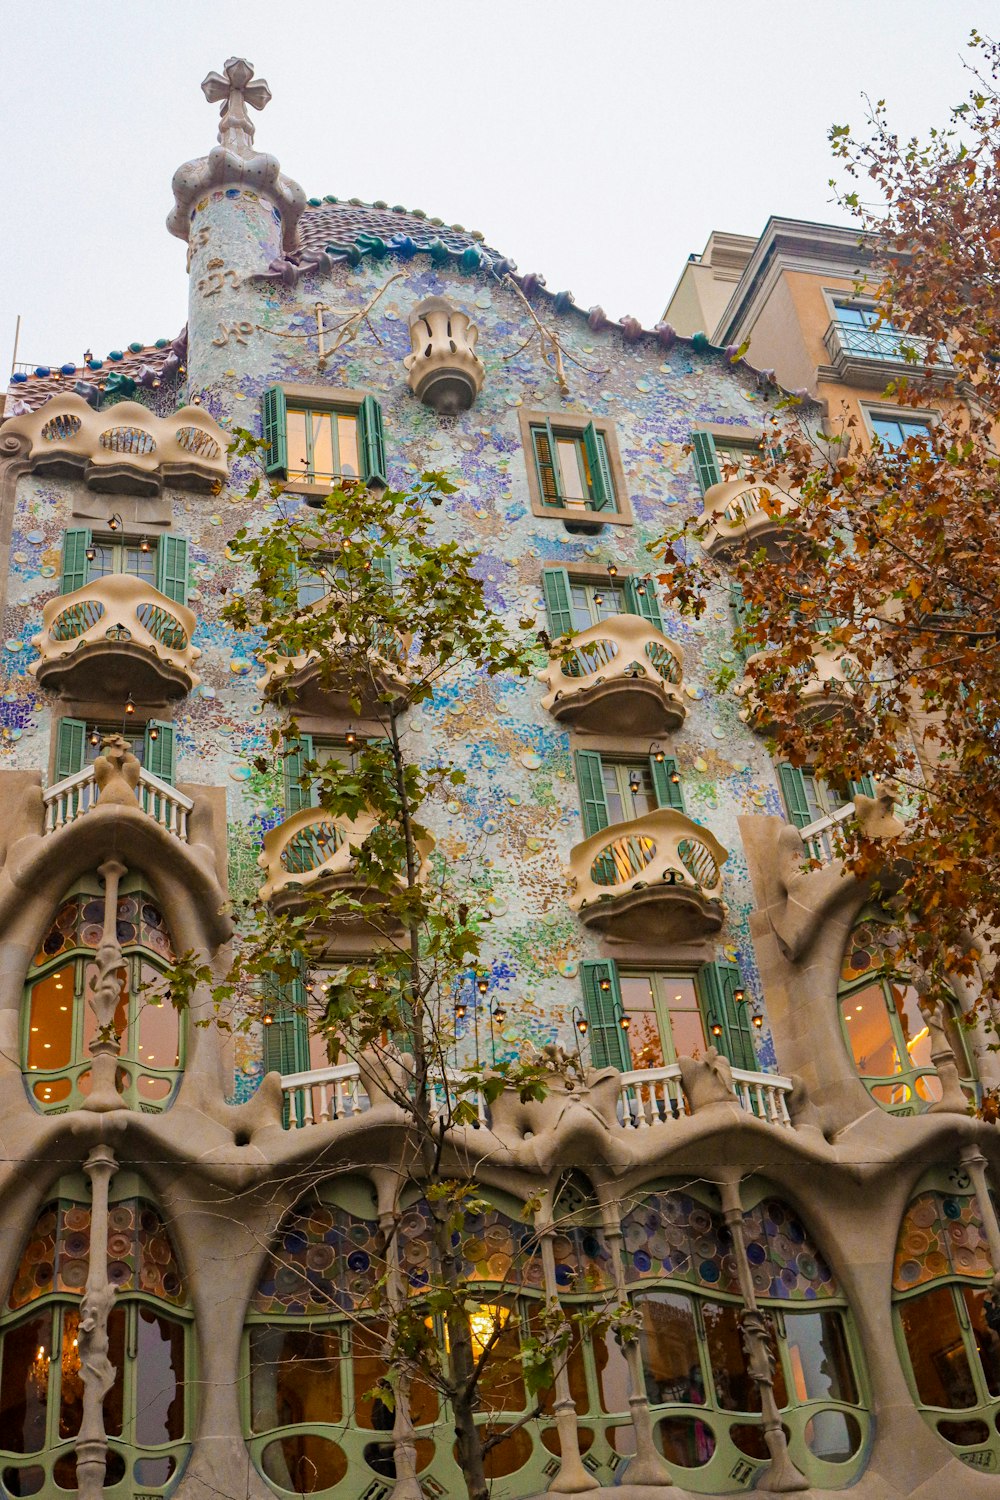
<point>317,443</point>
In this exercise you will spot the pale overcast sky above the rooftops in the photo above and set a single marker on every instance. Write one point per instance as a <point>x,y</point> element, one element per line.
<point>596,142</point>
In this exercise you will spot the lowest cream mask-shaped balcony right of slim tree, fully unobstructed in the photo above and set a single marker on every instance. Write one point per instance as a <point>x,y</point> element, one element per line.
<point>654,878</point>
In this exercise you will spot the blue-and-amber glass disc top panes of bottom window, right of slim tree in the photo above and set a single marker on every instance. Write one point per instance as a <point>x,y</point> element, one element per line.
<point>674,1235</point>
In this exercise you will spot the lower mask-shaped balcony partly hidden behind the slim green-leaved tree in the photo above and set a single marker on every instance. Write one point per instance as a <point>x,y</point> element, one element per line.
<point>313,854</point>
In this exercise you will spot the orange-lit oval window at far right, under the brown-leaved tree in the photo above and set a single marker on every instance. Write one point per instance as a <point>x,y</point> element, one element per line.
<point>885,1028</point>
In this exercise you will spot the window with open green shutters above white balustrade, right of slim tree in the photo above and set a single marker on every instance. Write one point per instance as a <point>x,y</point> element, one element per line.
<point>663,1013</point>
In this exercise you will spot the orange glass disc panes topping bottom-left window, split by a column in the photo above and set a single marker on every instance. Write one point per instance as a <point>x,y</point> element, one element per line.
<point>58,1256</point>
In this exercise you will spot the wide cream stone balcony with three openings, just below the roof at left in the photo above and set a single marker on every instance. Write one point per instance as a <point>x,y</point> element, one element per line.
<point>125,449</point>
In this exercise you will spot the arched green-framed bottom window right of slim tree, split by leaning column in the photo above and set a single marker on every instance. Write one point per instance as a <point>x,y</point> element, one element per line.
<point>707,1409</point>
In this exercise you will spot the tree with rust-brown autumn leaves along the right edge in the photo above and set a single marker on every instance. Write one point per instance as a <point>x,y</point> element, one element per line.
<point>887,557</point>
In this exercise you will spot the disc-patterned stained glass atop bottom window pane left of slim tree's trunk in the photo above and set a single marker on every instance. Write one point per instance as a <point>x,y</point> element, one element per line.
<point>326,1261</point>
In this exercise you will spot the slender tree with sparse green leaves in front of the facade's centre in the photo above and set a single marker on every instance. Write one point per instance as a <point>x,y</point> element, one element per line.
<point>385,956</point>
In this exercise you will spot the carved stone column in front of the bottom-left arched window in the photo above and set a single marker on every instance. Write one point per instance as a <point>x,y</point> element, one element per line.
<point>95,1369</point>
